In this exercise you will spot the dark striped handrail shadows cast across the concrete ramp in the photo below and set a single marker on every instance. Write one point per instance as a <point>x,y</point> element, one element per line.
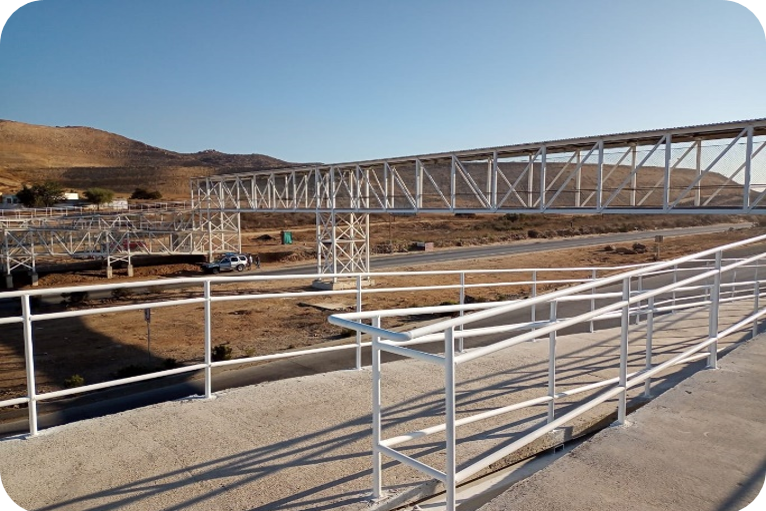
<point>326,446</point>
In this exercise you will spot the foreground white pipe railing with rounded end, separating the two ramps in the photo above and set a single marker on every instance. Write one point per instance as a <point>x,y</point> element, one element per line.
<point>697,283</point>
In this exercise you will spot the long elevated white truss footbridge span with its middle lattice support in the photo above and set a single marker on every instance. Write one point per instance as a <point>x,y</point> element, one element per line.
<point>709,169</point>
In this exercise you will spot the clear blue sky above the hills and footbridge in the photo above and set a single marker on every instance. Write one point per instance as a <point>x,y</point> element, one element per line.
<point>342,80</point>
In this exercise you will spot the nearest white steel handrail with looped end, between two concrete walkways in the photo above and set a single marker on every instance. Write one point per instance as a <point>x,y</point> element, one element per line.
<point>629,303</point>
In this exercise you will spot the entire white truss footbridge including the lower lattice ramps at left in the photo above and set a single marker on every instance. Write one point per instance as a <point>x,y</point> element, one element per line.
<point>707,169</point>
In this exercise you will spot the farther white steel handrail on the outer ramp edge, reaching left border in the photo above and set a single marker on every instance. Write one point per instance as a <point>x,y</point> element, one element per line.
<point>208,298</point>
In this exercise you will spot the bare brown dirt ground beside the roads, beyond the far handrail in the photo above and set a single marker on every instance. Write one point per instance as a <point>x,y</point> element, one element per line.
<point>105,346</point>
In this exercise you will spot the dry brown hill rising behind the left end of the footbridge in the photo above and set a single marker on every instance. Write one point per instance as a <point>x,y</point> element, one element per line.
<point>81,157</point>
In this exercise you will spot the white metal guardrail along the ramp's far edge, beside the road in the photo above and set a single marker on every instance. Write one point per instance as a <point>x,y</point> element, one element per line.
<point>466,280</point>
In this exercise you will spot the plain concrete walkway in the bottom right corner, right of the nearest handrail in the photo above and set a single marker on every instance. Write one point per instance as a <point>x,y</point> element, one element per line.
<point>700,446</point>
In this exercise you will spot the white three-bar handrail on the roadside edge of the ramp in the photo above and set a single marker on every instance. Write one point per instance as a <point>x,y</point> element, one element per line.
<point>209,297</point>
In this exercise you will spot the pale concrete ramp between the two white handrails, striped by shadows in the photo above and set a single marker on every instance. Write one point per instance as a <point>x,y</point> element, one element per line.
<point>304,443</point>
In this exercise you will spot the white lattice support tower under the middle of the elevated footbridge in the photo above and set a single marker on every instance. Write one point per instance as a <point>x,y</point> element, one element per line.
<point>343,246</point>
